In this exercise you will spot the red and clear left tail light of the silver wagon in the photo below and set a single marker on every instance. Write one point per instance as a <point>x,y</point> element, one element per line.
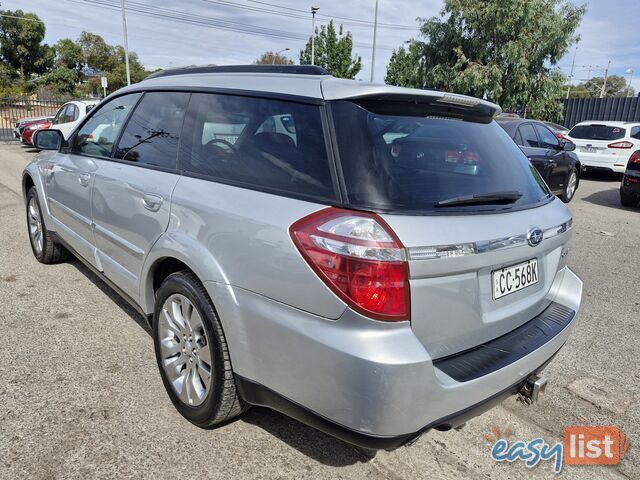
<point>359,258</point>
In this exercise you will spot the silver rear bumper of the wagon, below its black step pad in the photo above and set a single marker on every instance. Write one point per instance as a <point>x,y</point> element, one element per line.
<point>372,381</point>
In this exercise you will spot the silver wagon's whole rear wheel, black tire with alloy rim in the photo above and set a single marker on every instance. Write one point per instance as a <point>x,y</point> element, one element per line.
<point>185,346</point>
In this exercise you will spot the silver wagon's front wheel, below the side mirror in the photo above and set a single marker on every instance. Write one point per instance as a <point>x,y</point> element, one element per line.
<point>44,247</point>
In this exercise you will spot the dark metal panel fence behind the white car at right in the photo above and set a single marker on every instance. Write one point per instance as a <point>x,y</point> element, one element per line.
<point>577,110</point>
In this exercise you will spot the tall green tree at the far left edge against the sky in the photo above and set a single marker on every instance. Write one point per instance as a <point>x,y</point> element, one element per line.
<point>21,47</point>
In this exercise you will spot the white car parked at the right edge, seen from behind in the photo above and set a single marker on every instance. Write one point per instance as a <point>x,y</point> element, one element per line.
<point>605,145</point>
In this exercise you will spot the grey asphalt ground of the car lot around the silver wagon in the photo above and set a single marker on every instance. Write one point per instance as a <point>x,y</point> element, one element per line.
<point>80,396</point>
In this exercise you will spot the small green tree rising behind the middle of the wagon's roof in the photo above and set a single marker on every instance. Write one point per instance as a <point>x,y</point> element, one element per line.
<point>333,51</point>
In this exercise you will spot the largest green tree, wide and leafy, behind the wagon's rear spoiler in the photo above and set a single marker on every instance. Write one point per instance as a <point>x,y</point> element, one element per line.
<point>505,51</point>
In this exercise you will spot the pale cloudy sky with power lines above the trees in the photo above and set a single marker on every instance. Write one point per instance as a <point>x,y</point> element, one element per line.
<point>608,30</point>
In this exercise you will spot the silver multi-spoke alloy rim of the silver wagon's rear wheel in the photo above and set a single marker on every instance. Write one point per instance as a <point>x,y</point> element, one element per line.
<point>184,349</point>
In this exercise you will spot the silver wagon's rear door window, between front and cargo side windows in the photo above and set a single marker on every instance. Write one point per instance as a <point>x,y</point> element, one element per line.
<point>152,133</point>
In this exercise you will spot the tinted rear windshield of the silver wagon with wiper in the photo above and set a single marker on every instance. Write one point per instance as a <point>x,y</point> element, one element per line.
<point>416,164</point>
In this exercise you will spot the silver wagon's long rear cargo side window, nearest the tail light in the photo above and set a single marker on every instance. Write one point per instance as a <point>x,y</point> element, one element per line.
<point>271,145</point>
